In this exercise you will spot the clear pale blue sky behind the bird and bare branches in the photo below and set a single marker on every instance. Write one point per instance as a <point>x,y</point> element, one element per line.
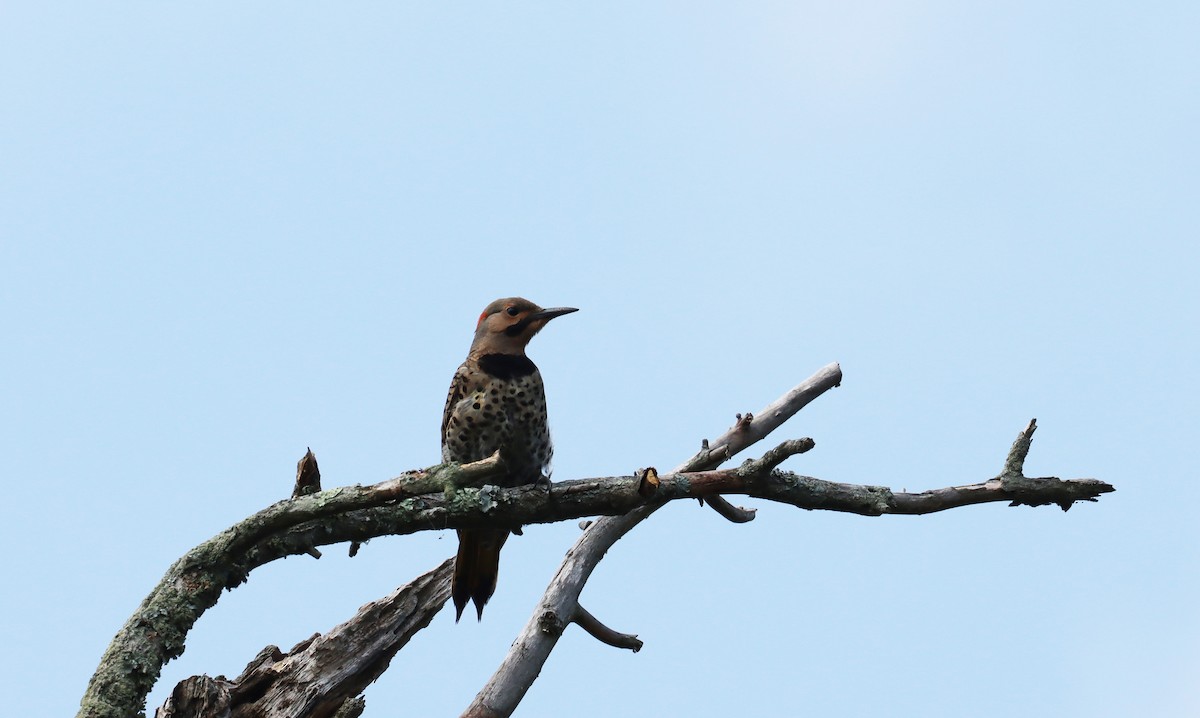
<point>231,232</point>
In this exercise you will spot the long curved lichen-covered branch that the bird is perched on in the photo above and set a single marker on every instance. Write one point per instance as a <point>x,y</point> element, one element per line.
<point>157,631</point>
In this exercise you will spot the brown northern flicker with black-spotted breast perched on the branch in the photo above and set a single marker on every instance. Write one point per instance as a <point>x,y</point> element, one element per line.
<point>496,403</point>
